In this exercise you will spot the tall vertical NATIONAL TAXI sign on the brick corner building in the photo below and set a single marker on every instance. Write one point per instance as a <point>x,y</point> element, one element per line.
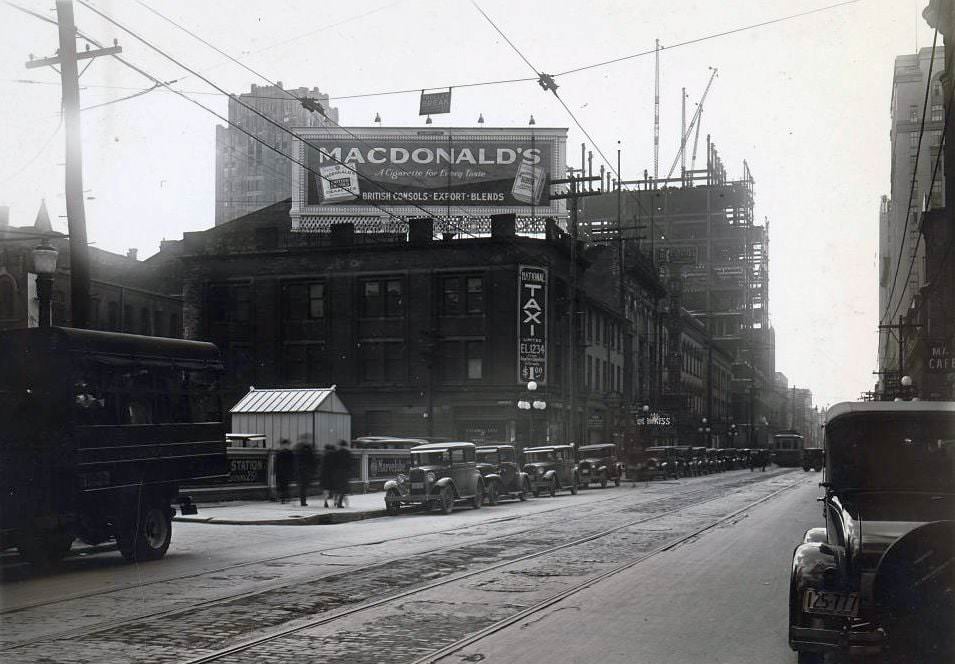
<point>532,324</point>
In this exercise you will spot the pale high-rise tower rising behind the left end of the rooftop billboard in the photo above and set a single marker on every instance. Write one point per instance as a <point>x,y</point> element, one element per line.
<point>249,175</point>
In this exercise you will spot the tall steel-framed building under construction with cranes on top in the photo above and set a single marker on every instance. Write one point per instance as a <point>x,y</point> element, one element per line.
<point>712,254</point>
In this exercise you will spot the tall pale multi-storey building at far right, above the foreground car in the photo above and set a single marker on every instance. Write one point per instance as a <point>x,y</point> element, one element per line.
<point>917,187</point>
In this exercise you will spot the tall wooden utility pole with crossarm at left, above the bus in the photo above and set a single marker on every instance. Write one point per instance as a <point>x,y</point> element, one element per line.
<point>67,59</point>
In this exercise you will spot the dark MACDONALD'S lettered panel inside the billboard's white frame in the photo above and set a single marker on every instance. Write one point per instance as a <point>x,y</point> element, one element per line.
<point>480,169</point>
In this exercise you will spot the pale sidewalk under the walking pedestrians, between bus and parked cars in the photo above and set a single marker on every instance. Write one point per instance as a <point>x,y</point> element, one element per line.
<point>267,513</point>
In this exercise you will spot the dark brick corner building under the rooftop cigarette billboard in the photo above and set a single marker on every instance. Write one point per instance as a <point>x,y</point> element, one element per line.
<point>418,334</point>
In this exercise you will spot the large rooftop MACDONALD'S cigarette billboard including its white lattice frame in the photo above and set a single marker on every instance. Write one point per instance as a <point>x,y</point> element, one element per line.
<point>407,171</point>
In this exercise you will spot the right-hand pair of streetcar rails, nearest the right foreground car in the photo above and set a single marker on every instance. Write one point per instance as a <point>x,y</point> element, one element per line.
<point>296,626</point>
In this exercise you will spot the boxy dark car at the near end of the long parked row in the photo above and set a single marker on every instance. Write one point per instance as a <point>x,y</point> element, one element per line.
<point>438,475</point>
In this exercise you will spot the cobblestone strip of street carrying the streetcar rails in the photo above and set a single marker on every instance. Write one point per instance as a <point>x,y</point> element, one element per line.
<point>405,597</point>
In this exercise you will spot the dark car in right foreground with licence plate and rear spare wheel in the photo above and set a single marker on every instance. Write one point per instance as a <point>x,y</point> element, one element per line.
<point>878,579</point>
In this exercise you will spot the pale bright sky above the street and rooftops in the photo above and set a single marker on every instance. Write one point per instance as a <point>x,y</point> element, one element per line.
<point>804,101</point>
